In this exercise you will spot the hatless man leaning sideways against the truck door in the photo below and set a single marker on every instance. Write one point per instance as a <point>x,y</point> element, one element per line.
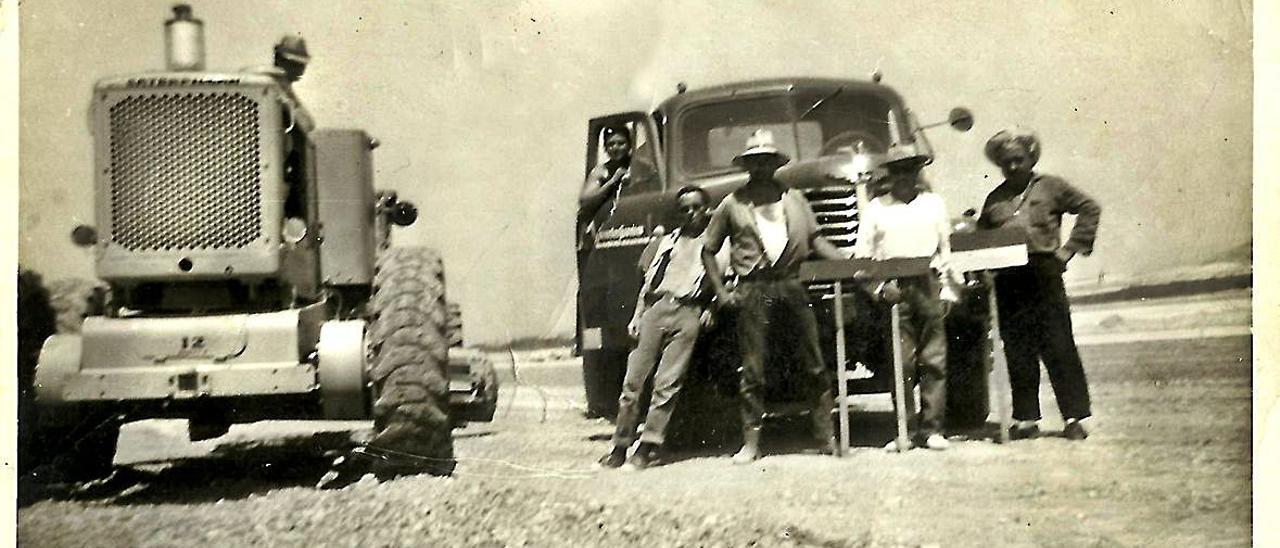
<point>670,313</point>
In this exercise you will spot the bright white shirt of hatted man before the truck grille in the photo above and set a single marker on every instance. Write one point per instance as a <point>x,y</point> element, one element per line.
<point>894,230</point>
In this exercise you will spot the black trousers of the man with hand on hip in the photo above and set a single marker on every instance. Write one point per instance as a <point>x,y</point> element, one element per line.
<point>1036,326</point>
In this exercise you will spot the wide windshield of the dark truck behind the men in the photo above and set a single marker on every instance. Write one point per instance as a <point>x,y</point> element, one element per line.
<point>803,127</point>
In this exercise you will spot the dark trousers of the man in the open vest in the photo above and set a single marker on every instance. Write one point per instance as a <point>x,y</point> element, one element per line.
<point>762,303</point>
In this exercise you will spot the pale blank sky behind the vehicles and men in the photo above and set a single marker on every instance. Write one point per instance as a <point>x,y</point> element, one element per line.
<point>482,112</point>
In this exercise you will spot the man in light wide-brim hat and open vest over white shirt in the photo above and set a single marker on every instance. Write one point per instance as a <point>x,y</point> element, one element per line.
<point>771,230</point>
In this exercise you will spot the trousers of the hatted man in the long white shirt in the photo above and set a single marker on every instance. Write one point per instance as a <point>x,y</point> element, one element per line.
<point>925,349</point>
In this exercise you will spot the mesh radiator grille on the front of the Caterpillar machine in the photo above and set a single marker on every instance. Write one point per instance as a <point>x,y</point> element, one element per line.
<point>185,171</point>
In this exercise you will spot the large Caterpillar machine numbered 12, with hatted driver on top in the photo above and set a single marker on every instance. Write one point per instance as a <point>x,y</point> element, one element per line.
<point>252,277</point>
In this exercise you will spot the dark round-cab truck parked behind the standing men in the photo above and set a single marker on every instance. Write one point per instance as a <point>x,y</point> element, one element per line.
<point>836,133</point>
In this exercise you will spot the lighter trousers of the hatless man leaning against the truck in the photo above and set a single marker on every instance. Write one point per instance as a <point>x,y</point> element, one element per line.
<point>669,331</point>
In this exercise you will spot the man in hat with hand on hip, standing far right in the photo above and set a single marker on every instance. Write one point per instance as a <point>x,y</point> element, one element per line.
<point>1035,314</point>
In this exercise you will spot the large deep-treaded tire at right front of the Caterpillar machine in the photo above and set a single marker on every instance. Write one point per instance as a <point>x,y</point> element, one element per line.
<point>410,355</point>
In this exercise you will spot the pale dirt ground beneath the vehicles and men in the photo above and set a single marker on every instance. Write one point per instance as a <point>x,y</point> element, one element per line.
<point>1168,464</point>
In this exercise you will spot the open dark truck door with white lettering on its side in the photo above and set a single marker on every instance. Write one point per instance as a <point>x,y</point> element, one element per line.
<point>610,243</point>
